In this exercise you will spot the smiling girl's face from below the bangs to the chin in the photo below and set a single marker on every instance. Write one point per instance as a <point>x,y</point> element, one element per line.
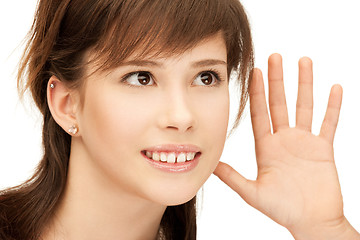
<point>139,118</point>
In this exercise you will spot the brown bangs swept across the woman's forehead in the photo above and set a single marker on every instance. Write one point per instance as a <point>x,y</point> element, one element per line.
<point>147,29</point>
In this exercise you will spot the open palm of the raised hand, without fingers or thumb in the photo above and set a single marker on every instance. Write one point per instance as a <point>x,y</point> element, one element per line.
<point>297,173</point>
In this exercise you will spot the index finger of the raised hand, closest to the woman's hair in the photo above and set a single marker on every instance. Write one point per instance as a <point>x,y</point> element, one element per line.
<point>258,107</point>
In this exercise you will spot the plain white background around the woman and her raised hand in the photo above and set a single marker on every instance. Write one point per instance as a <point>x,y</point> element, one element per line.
<point>326,31</point>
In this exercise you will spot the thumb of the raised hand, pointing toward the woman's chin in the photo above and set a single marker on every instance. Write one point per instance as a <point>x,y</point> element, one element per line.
<point>245,188</point>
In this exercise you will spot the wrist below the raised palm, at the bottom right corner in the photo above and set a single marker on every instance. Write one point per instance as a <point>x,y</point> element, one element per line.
<point>341,230</point>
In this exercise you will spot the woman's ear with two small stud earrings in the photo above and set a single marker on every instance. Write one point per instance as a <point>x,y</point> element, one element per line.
<point>63,105</point>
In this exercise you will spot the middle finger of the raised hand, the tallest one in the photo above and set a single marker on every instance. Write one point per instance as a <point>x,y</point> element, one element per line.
<point>277,100</point>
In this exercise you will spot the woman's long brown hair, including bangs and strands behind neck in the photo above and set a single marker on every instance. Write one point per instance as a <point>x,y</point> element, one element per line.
<point>62,32</point>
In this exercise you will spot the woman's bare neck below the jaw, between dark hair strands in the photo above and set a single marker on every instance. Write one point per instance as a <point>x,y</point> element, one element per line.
<point>95,208</point>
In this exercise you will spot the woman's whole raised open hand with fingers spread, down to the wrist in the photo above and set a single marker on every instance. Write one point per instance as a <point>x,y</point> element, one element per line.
<point>297,185</point>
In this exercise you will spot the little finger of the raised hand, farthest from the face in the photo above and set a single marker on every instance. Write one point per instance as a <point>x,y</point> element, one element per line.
<point>331,118</point>
